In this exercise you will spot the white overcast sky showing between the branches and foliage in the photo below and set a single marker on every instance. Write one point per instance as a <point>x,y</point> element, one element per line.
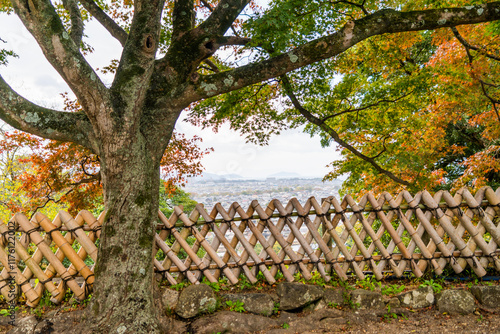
<point>33,77</point>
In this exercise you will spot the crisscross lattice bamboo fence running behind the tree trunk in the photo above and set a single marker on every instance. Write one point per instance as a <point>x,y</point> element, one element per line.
<point>335,239</point>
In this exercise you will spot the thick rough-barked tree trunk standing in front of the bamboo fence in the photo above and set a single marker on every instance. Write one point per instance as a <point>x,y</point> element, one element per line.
<point>123,301</point>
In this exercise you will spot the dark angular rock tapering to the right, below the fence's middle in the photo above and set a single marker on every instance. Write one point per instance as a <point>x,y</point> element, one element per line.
<point>297,295</point>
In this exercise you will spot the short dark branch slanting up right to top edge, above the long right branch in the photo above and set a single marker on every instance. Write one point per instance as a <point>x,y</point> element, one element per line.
<point>223,16</point>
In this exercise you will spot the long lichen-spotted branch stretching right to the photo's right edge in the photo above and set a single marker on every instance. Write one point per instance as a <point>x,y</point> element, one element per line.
<point>381,22</point>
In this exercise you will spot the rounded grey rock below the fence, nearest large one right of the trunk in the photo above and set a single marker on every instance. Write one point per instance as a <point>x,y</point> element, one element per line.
<point>196,299</point>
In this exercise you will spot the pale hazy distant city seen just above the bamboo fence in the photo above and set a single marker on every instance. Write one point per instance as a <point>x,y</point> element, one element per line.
<point>211,189</point>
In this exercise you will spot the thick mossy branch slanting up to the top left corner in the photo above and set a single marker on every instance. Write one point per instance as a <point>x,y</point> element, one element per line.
<point>44,24</point>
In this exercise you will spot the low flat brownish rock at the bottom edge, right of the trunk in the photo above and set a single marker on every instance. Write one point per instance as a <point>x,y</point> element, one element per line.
<point>232,322</point>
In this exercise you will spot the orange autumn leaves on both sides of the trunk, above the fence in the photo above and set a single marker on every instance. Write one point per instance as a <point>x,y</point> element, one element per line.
<point>44,172</point>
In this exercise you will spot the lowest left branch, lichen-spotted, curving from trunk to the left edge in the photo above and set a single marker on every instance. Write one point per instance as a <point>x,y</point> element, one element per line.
<point>29,117</point>
